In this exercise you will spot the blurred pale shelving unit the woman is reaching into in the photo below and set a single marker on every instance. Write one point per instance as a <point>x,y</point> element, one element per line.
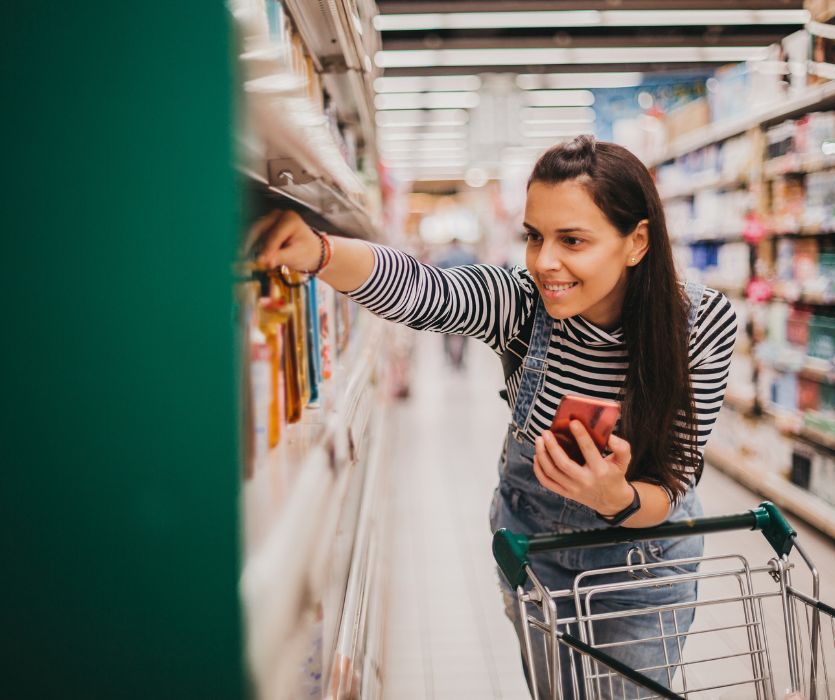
<point>310,581</point>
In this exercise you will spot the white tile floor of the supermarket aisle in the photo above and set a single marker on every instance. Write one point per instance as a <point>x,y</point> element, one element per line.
<point>446,634</point>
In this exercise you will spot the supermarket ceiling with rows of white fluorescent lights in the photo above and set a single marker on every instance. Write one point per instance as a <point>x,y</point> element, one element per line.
<point>567,41</point>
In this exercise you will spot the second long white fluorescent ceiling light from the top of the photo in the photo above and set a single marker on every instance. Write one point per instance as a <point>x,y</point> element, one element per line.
<point>556,56</point>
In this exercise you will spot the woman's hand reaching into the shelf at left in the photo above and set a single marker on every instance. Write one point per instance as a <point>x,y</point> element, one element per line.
<point>283,238</point>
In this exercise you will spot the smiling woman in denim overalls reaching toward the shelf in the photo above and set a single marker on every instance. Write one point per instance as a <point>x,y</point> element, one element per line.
<point>606,318</point>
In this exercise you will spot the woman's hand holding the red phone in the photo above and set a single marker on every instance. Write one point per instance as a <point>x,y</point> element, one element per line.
<point>599,484</point>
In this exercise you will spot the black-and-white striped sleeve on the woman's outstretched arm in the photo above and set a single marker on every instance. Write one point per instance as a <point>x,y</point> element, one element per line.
<point>480,301</point>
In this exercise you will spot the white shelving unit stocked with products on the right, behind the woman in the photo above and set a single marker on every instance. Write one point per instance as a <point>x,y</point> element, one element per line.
<point>789,431</point>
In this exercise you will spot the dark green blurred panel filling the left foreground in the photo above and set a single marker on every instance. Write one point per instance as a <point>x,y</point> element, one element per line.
<point>120,473</point>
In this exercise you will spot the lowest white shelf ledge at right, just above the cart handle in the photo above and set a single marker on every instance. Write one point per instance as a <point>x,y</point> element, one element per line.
<point>782,492</point>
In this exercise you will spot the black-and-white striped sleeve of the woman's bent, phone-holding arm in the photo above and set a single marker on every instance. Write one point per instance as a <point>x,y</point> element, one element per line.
<point>711,346</point>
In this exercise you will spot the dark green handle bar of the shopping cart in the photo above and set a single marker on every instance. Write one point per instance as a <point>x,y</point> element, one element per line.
<point>511,549</point>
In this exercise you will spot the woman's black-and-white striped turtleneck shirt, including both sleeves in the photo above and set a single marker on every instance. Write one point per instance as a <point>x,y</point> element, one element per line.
<point>492,304</point>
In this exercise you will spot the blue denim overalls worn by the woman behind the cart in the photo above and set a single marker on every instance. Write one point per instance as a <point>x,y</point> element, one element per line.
<point>521,504</point>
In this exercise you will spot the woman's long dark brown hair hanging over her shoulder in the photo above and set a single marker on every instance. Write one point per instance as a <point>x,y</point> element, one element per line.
<point>654,317</point>
